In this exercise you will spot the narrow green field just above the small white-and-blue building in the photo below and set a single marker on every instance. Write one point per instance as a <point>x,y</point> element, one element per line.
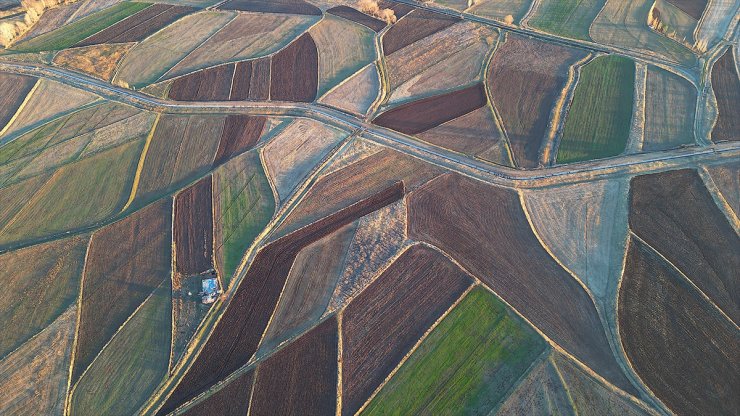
<point>246,204</point>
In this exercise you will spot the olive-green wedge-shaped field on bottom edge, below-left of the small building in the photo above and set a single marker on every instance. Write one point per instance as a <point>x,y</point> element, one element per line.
<point>131,366</point>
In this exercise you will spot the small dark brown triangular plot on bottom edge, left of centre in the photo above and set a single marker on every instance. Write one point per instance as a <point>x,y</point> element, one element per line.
<point>231,400</point>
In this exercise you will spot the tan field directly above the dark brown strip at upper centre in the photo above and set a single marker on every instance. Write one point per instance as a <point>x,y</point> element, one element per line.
<point>430,65</point>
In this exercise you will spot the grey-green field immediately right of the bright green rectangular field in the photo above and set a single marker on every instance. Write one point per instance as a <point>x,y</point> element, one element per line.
<point>670,102</point>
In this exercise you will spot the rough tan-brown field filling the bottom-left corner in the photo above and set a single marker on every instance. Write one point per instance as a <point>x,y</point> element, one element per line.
<point>34,378</point>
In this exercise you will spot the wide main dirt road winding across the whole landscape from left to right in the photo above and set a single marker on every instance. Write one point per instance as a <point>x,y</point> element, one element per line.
<point>500,175</point>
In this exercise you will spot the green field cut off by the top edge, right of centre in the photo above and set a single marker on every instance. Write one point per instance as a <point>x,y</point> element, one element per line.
<point>568,18</point>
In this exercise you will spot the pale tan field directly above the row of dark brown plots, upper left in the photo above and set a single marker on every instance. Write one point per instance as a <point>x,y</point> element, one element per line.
<point>249,35</point>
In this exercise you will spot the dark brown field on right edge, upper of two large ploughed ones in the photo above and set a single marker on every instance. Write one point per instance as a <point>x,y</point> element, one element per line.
<point>675,214</point>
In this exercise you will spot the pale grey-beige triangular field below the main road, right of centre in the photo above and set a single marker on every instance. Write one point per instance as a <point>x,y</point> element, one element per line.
<point>585,227</point>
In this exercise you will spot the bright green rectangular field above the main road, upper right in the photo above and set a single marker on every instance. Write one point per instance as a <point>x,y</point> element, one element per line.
<point>598,123</point>
